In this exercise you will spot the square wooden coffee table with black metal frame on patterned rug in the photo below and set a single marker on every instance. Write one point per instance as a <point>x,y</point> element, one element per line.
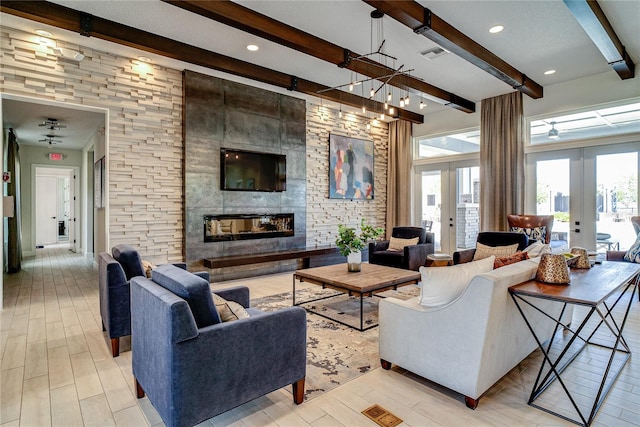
<point>370,280</point>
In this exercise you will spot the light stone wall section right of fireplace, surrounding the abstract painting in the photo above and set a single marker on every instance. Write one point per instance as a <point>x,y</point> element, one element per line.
<point>324,214</point>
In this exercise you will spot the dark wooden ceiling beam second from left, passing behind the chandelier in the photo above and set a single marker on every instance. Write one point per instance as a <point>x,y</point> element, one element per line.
<point>245,19</point>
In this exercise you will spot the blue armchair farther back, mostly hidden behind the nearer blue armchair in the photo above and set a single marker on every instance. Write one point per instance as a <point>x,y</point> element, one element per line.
<point>114,273</point>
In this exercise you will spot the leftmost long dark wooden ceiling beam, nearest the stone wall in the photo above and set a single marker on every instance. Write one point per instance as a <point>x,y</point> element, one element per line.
<point>93,26</point>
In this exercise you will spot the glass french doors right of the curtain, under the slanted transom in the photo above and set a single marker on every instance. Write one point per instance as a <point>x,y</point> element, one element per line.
<point>591,191</point>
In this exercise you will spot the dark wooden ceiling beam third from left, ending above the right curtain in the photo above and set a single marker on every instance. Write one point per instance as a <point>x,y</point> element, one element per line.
<point>422,21</point>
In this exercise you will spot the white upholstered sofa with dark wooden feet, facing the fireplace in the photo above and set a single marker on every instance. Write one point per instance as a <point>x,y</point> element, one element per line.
<point>468,344</point>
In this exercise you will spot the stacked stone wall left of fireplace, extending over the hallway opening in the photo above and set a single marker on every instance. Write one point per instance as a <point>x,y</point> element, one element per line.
<point>145,132</point>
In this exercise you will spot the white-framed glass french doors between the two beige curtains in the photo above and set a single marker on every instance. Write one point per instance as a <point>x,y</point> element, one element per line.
<point>447,201</point>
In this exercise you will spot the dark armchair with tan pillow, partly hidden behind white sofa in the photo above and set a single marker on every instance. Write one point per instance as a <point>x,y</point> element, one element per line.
<point>497,243</point>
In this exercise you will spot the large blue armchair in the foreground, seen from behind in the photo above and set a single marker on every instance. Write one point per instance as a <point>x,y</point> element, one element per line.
<point>192,366</point>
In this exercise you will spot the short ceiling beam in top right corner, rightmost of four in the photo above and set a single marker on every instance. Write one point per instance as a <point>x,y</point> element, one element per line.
<point>595,23</point>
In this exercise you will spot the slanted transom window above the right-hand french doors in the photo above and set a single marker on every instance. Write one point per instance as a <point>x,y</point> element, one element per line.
<point>608,121</point>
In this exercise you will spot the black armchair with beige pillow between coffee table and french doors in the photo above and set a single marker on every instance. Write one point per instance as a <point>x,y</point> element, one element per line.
<point>407,248</point>
